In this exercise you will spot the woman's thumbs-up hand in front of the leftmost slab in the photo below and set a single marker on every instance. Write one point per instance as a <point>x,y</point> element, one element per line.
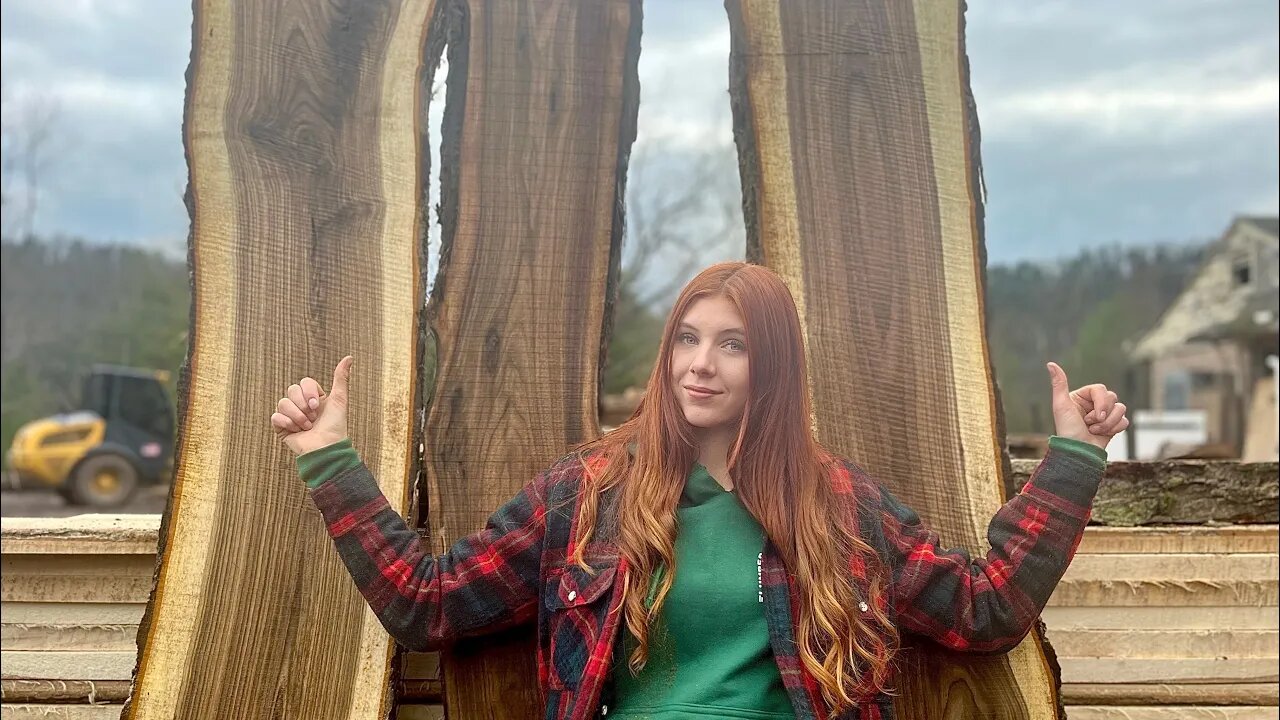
<point>308,418</point>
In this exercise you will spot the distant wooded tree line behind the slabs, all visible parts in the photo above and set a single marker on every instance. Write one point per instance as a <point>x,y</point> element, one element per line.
<point>67,306</point>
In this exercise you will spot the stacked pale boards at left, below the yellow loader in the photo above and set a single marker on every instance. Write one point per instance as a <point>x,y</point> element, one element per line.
<point>74,594</point>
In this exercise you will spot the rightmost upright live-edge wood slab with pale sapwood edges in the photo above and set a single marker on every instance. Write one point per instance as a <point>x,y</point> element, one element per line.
<point>858,151</point>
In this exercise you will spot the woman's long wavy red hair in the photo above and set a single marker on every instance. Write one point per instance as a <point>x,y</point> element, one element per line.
<point>781,475</point>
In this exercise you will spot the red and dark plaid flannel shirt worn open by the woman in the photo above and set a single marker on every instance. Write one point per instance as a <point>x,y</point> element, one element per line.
<point>516,571</point>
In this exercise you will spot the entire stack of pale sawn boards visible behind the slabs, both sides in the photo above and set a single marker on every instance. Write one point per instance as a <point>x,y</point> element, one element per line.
<point>1149,625</point>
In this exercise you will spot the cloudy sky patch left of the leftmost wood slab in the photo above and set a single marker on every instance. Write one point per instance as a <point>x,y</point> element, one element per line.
<point>113,74</point>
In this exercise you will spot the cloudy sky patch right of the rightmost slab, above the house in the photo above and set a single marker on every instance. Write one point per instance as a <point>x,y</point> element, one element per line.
<point>1123,122</point>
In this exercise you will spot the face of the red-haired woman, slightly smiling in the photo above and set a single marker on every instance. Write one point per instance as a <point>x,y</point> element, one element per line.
<point>708,364</point>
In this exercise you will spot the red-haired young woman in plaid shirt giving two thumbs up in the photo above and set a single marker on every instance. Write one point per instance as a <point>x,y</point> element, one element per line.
<point>756,575</point>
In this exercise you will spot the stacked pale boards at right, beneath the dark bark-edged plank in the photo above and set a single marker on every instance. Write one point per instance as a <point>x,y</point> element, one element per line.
<point>1169,622</point>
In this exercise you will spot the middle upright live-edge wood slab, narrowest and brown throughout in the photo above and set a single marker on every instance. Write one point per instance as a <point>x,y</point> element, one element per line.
<point>538,126</point>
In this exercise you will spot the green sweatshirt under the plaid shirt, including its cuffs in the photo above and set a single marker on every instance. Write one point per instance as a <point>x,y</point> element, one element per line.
<point>710,651</point>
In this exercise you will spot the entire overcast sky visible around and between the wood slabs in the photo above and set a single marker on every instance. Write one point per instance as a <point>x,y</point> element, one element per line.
<point>1101,122</point>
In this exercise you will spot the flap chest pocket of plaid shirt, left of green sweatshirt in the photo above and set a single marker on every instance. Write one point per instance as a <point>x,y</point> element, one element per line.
<point>577,604</point>
